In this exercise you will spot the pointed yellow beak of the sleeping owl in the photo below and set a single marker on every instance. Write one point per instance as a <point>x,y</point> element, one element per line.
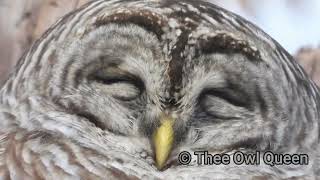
<point>163,141</point>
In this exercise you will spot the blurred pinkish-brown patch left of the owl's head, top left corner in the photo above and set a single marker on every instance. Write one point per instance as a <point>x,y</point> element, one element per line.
<point>23,21</point>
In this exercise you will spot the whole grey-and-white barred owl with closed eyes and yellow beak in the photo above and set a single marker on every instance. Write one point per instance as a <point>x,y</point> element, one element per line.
<point>117,89</point>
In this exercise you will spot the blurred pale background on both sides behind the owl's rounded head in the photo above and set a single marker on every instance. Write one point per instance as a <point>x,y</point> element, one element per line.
<point>294,24</point>
